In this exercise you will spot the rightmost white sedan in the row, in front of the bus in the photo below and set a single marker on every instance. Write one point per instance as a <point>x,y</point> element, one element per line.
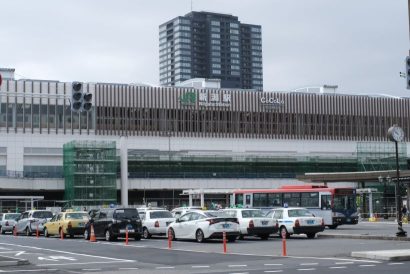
<point>297,220</point>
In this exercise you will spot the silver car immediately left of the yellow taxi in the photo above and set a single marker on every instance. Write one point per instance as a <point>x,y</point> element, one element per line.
<point>30,221</point>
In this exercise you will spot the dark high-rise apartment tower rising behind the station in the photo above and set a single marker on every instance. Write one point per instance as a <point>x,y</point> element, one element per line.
<point>211,45</point>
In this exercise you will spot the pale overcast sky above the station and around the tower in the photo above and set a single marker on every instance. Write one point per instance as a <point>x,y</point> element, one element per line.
<point>359,45</point>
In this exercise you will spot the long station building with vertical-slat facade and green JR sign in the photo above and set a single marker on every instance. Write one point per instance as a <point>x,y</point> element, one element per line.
<point>194,138</point>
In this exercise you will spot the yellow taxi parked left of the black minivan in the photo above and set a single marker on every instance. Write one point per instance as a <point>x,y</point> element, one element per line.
<point>69,222</point>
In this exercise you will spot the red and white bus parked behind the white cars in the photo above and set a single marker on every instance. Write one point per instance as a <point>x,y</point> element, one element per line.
<point>336,206</point>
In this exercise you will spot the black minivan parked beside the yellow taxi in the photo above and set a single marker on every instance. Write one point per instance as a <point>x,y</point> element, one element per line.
<point>113,223</point>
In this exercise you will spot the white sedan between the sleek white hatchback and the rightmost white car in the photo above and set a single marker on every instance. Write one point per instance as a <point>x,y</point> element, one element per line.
<point>252,222</point>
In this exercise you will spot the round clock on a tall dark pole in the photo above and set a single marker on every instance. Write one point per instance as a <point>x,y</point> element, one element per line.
<point>396,134</point>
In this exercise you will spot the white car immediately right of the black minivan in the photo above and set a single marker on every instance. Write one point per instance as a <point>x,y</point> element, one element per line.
<point>155,222</point>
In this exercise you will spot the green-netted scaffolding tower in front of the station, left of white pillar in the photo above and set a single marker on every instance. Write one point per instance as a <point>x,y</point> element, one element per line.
<point>90,172</point>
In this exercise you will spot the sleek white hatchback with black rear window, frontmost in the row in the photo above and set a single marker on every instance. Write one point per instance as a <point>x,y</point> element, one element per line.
<point>200,225</point>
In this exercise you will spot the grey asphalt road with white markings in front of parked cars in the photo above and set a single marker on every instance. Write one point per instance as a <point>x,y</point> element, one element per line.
<point>320,255</point>
